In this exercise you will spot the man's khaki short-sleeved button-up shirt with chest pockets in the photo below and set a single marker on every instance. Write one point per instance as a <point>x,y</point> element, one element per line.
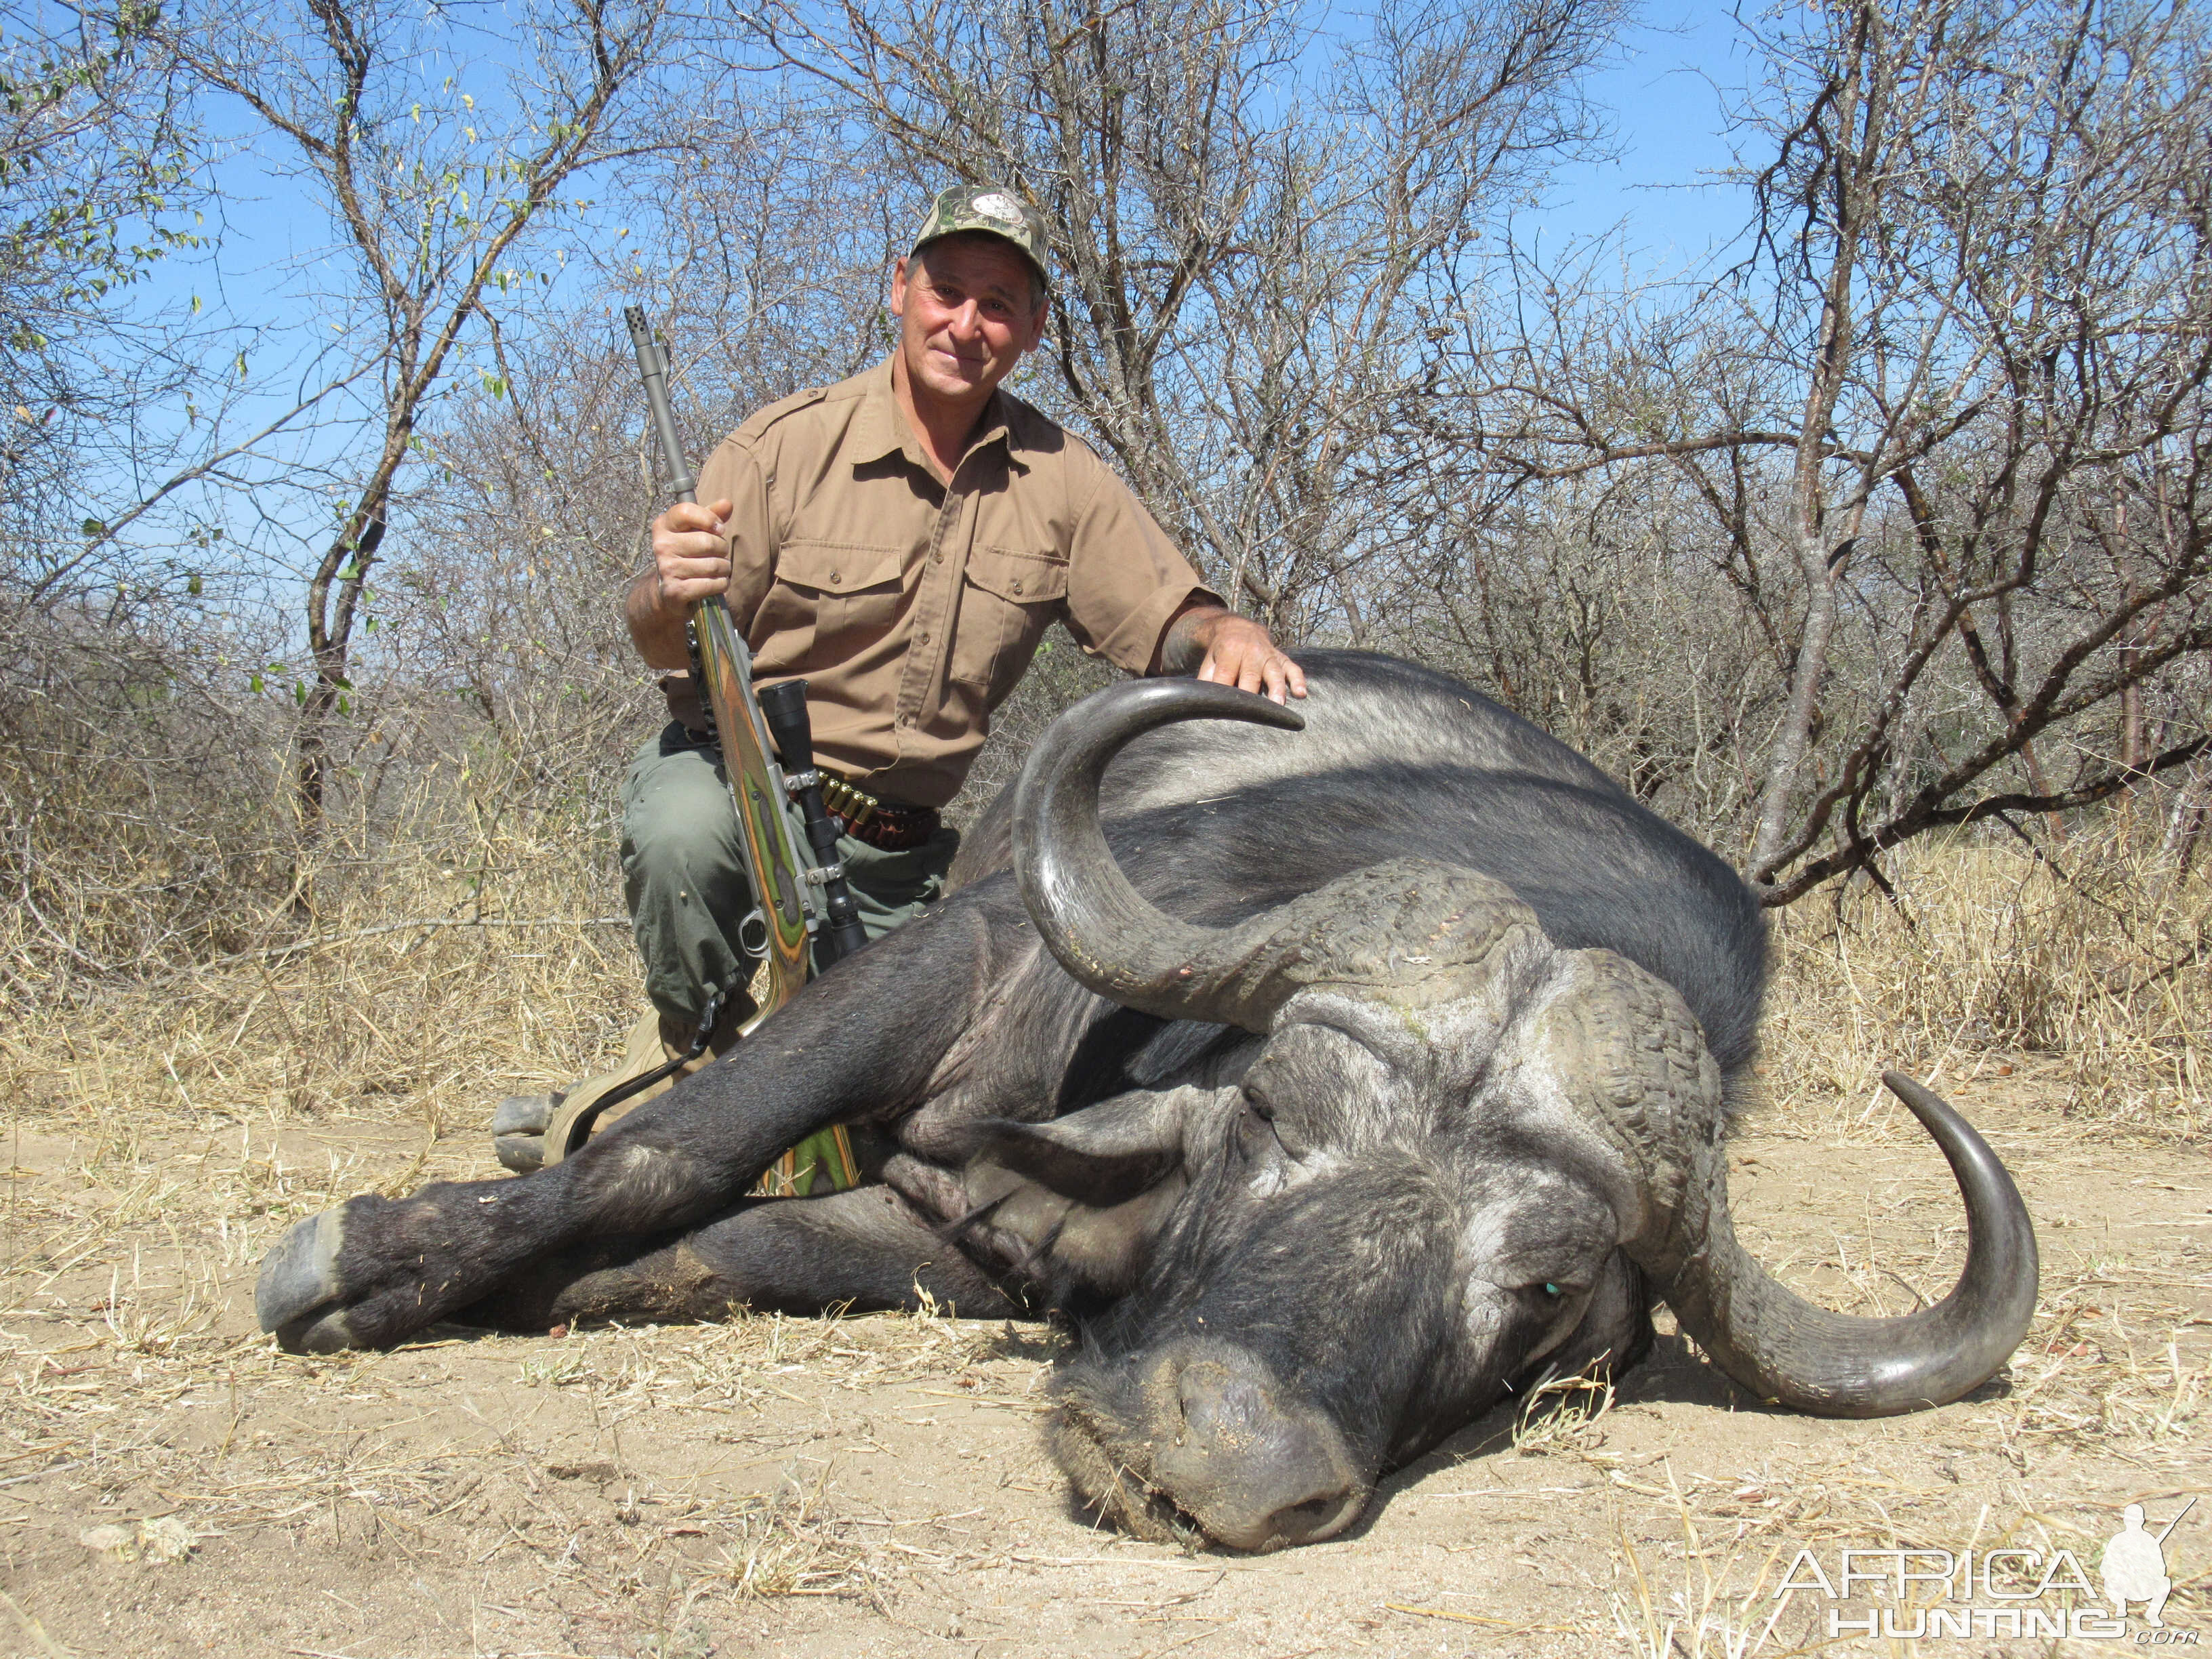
<point>912,603</point>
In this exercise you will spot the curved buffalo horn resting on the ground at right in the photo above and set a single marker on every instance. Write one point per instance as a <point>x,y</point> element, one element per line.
<point>1793,1353</point>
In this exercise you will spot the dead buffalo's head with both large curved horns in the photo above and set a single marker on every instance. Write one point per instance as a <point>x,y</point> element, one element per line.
<point>1461,1156</point>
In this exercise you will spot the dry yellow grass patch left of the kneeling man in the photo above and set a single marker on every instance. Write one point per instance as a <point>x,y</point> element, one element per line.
<point>426,992</point>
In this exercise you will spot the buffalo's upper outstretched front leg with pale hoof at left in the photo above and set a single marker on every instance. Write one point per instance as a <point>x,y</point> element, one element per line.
<point>857,1043</point>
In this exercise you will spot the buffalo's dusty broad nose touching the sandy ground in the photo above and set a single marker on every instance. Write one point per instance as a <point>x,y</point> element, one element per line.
<point>1258,1474</point>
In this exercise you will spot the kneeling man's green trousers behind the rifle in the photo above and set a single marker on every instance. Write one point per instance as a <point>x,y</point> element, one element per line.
<point>685,875</point>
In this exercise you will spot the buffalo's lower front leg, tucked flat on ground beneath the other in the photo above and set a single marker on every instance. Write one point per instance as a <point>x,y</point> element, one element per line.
<point>864,1251</point>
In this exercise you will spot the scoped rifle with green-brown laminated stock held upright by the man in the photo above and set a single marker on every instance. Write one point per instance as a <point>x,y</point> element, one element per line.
<point>789,915</point>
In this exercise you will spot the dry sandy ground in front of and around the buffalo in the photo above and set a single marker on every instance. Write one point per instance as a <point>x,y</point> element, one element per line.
<point>875,1485</point>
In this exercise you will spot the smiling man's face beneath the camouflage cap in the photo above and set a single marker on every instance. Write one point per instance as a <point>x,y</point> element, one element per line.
<point>968,309</point>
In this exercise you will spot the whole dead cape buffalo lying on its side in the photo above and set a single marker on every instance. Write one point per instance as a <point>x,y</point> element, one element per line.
<point>1337,1078</point>
